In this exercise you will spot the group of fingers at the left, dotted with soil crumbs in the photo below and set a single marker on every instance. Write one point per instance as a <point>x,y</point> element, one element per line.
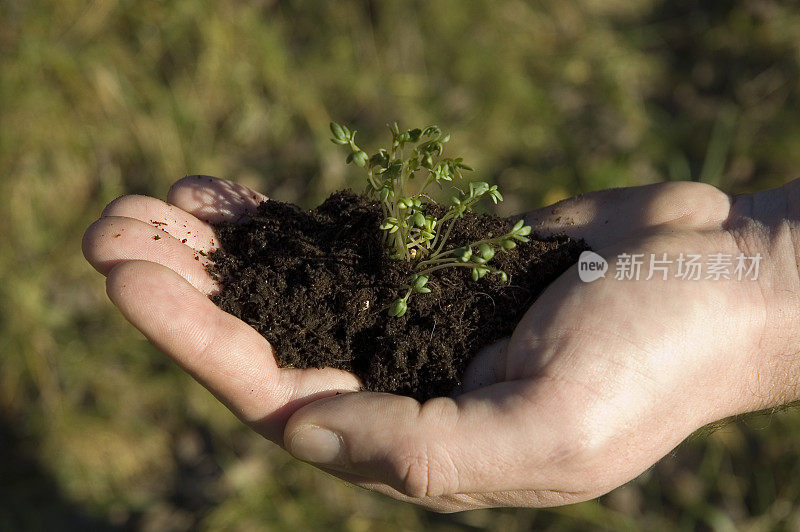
<point>153,254</point>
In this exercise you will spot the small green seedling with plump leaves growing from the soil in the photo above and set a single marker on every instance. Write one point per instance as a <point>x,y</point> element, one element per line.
<point>410,233</point>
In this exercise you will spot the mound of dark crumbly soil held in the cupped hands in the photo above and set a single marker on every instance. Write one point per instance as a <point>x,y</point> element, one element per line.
<point>317,285</point>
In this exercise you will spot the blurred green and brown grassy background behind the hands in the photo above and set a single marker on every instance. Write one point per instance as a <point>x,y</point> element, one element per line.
<point>546,98</point>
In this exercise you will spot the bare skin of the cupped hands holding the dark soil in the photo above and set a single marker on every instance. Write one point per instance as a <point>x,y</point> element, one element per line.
<point>597,383</point>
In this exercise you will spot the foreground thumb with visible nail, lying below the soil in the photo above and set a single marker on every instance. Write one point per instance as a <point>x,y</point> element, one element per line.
<point>486,440</point>
